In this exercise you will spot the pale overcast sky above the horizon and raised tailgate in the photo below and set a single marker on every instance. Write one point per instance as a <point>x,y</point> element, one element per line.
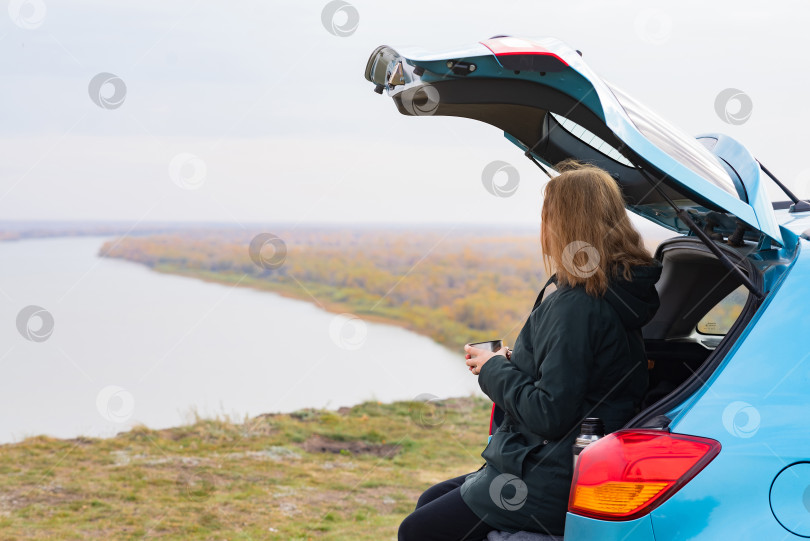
<point>253,111</point>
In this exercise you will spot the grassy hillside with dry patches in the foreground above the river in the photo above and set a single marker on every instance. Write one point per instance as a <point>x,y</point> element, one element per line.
<point>352,474</point>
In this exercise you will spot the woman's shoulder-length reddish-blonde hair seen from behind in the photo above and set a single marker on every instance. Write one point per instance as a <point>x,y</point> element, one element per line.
<point>586,235</point>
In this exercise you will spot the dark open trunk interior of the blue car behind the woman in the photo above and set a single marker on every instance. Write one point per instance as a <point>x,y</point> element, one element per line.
<point>693,283</point>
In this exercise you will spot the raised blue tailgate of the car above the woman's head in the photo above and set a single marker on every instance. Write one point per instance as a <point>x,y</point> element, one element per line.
<point>550,104</point>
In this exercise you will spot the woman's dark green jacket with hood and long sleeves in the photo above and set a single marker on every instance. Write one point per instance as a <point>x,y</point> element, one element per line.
<point>577,356</point>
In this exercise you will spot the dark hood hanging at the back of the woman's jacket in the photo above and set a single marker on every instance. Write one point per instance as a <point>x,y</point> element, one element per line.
<point>635,300</point>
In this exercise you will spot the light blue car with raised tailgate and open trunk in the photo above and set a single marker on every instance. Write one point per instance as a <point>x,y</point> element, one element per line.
<point>721,447</point>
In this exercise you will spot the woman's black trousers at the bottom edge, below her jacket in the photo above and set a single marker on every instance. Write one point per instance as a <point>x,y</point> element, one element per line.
<point>441,515</point>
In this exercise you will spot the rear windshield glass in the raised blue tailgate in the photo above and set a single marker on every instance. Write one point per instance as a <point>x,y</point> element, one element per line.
<point>682,147</point>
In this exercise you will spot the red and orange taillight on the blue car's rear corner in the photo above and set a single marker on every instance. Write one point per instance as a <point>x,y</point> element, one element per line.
<point>628,473</point>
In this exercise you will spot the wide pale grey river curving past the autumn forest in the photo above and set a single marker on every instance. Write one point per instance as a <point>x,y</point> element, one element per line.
<point>119,345</point>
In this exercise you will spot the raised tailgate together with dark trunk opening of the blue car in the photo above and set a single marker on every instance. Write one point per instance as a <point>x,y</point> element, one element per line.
<point>552,106</point>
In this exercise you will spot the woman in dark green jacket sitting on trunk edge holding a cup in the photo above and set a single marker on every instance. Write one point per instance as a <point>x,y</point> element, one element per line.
<point>580,354</point>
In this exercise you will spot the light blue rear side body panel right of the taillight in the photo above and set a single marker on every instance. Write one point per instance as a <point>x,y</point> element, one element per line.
<point>755,405</point>
